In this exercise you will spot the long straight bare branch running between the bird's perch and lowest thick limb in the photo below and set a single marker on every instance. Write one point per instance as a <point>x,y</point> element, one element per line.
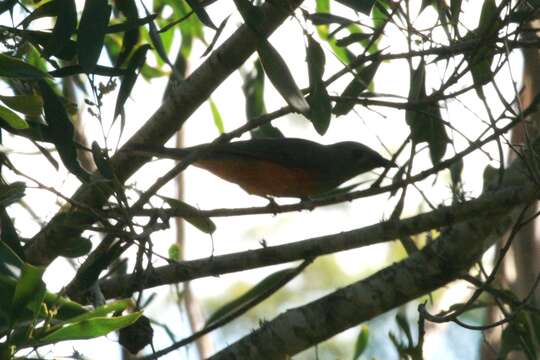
<point>489,204</point>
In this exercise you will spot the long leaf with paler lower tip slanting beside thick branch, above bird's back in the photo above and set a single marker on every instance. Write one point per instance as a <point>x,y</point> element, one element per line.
<point>277,71</point>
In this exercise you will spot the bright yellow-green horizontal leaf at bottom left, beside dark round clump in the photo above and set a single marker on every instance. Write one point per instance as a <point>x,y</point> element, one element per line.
<point>88,329</point>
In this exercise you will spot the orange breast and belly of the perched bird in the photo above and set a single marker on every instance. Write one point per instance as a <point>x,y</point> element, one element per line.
<point>260,177</point>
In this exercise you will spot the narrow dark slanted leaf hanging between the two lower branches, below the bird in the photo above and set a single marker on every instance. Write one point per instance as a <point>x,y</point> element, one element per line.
<point>253,296</point>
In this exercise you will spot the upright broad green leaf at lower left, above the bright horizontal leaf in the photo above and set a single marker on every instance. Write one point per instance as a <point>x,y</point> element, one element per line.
<point>29,291</point>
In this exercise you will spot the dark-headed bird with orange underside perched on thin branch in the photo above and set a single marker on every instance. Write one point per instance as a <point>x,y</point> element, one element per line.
<point>279,167</point>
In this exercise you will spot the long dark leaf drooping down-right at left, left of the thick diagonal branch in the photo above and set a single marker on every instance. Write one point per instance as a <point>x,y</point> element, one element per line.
<point>61,130</point>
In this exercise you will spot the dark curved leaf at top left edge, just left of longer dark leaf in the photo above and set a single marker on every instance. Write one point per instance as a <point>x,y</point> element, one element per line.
<point>65,26</point>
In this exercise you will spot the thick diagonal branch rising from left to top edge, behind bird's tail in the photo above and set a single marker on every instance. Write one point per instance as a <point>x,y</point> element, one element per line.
<point>184,100</point>
